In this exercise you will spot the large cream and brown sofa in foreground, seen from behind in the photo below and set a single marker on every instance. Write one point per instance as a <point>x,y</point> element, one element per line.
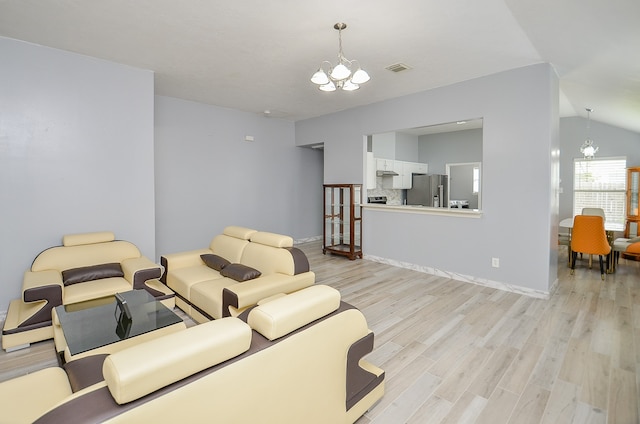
<point>295,359</point>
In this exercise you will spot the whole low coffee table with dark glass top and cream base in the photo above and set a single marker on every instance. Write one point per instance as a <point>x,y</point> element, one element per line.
<point>81,331</point>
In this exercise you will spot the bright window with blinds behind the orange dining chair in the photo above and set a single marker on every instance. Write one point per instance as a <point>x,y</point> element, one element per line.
<point>600,183</point>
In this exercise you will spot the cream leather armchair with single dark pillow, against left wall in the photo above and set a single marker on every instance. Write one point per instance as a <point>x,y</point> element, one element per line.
<point>86,267</point>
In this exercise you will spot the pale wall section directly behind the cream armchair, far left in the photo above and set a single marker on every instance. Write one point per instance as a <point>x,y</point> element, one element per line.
<point>76,154</point>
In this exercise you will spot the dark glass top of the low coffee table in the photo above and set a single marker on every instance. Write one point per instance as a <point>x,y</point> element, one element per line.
<point>91,328</point>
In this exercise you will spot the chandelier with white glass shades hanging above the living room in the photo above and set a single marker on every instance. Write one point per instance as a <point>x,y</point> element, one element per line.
<point>342,75</point>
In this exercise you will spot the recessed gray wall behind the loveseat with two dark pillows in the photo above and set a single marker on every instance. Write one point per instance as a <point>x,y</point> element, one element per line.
<point>208,177</point>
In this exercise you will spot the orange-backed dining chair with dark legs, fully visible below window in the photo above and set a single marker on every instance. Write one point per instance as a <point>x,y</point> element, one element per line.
<point>588,236</point>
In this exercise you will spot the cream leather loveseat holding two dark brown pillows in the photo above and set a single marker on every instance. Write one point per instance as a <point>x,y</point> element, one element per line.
<point>206,293</point>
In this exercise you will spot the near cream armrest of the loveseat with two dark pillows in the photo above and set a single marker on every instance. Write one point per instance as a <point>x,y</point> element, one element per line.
<point>249,293</point>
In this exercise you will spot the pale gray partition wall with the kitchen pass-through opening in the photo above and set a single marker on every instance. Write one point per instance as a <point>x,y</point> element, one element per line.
<point>519,223</point>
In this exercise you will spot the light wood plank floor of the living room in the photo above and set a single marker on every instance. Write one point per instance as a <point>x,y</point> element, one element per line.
<point>460,353</point>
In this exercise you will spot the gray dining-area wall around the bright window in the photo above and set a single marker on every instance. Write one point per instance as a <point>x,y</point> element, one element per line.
<point>611,141</point>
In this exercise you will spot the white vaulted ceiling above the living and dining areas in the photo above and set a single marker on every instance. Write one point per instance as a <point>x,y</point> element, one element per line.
<point>255,55</point>
